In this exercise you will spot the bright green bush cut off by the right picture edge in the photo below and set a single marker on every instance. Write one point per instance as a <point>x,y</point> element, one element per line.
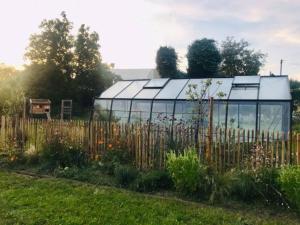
<point>289,181</point>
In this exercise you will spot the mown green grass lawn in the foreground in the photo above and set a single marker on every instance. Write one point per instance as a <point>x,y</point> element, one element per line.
<point>28,200</point>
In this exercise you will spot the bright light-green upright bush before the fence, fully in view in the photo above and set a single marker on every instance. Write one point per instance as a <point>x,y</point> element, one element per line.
<point>186,171</point>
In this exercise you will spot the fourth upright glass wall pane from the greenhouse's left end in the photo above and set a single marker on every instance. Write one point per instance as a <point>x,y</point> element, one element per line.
<point>162,112</point>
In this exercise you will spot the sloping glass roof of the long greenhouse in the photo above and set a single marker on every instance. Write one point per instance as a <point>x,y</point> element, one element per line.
<point>235,88</point>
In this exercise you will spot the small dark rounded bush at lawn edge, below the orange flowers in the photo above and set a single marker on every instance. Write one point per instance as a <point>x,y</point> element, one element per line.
<point>125,175</point>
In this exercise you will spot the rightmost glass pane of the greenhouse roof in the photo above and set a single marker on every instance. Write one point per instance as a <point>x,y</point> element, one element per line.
<point>277,88</point>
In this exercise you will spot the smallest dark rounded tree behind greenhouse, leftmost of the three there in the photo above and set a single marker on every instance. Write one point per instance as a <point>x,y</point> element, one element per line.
<point>166,62</point>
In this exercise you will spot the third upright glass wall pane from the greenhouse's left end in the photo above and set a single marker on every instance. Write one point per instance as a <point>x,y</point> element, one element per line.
<point>140,111</point>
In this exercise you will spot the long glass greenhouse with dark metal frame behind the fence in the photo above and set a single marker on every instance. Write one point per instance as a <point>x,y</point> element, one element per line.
<point>246,102</point>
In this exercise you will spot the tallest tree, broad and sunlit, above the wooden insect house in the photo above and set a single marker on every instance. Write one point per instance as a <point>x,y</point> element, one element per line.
<point>50,53</point>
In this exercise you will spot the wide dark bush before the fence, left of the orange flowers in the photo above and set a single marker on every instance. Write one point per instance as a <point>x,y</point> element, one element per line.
<point>57,152</point>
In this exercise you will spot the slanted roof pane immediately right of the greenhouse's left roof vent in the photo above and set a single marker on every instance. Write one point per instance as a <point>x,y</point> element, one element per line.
<point>172,89</point>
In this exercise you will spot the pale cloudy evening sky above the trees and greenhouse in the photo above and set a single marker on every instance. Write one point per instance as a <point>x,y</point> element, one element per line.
<point>131,31</point>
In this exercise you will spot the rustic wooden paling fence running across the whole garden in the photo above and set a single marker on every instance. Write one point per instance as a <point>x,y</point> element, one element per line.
<point>149,144</point>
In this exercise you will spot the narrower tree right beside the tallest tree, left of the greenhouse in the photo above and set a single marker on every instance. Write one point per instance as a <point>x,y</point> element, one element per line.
<point>88,79</point>
